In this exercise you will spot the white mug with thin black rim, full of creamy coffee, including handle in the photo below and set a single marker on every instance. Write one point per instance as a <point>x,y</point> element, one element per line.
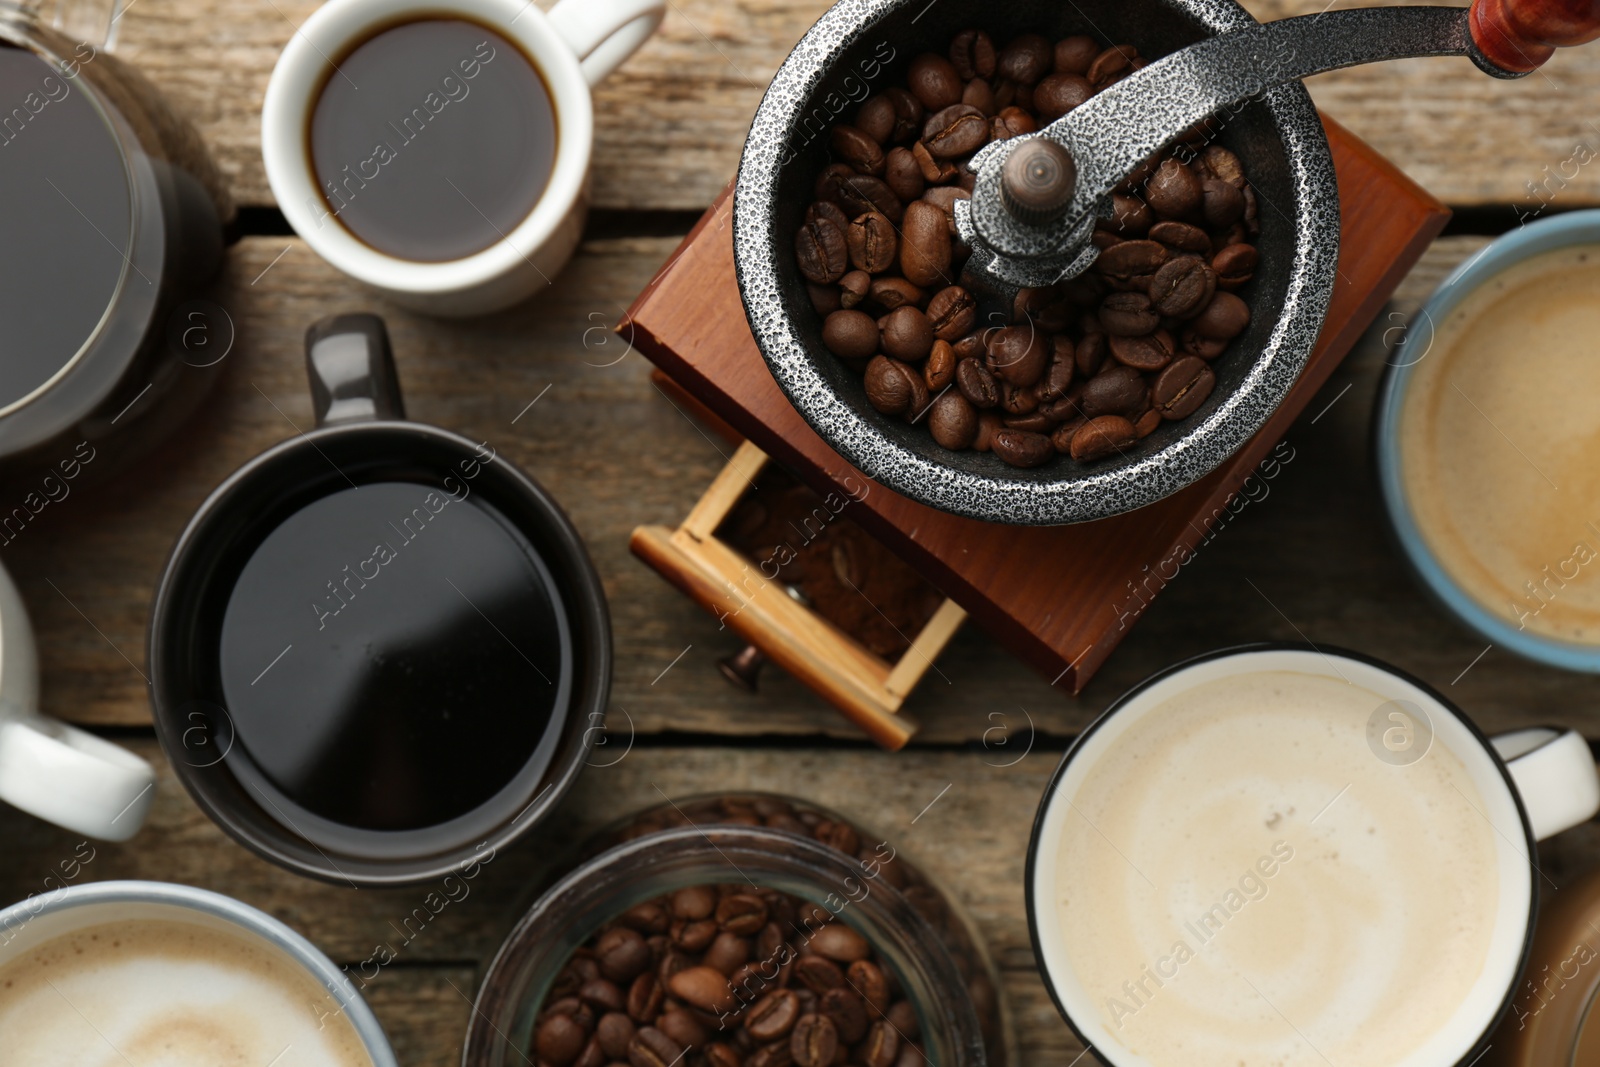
<point>1290,857</point>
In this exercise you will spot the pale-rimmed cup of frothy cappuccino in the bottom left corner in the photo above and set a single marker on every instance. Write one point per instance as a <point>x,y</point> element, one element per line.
<point>118,973</point>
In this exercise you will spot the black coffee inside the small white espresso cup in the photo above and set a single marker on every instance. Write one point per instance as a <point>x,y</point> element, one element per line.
<point>433,140</point>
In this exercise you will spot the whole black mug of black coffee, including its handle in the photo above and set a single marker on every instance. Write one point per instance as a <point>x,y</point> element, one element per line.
<point>380,650</point>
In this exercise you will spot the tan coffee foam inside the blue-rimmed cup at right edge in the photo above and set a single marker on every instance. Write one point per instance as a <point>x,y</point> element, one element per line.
<point>1500,446</point>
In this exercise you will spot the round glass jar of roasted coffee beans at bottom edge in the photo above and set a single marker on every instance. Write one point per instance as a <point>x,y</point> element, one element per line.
<point>742,932</point>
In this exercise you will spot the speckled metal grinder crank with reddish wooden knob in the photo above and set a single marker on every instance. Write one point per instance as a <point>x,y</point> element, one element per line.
<point>1033,220</point>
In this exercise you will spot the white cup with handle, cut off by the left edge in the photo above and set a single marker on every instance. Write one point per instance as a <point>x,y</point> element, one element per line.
<point>50,770</point>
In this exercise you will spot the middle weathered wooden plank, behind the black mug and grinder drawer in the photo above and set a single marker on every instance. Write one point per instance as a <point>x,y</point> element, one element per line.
<point>618,454</point>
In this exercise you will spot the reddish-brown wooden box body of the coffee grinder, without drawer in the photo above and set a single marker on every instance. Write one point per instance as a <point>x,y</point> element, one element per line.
<point>1060,597</point>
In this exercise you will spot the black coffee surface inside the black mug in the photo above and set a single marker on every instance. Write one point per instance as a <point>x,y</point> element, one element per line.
<point>393,658</point>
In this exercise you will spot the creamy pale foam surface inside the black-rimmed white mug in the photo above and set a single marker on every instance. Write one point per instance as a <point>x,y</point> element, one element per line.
<point>1244,884</point>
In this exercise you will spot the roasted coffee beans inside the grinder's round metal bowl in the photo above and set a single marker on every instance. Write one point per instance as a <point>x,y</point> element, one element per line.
<point>1082,369</point>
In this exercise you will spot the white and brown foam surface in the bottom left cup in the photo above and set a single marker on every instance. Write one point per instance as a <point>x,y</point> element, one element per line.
<point>167,994</point>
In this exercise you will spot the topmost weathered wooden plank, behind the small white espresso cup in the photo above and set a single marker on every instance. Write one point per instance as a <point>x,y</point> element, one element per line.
<point>671,124</point>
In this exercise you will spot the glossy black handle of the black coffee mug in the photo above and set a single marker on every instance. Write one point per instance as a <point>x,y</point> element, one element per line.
<point>353,370</point>
